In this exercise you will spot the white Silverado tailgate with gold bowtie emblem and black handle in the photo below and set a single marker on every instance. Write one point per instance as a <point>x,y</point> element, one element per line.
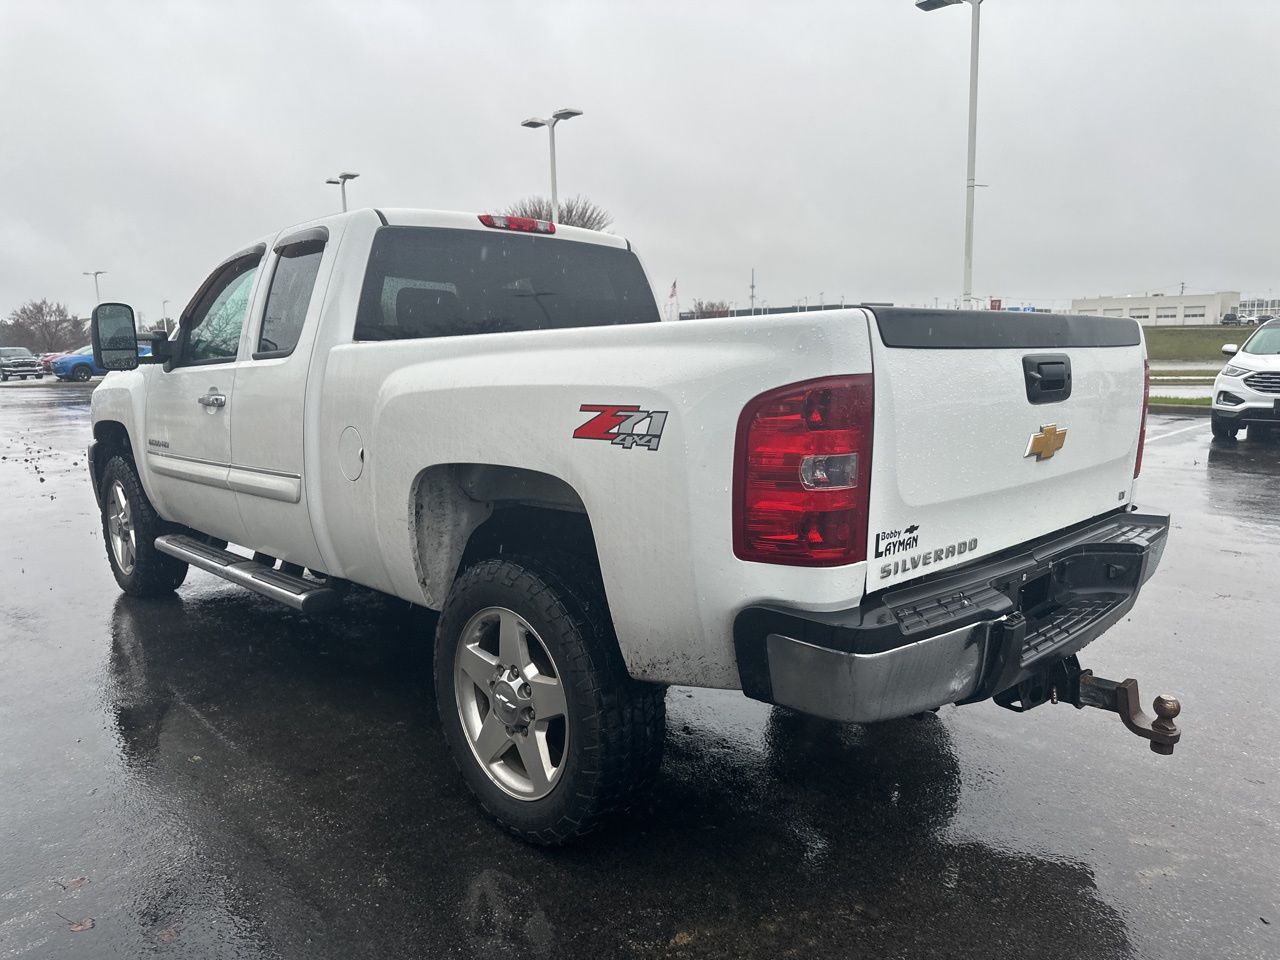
<point>964,463</point>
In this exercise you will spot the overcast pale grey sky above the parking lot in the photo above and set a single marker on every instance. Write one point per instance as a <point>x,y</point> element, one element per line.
<point>1130,145</point>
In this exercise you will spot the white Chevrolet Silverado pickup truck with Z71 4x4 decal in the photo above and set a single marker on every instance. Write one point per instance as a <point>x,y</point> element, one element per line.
<point>861,514</point>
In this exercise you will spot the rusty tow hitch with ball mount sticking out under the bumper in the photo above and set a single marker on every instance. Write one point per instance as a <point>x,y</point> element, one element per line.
<point>1067,683</point>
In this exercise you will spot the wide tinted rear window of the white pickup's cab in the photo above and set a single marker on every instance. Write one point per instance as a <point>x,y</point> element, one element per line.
<point>438,282</point>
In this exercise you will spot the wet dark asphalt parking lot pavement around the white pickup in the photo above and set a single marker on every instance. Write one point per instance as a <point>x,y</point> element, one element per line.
<point>214,776</point>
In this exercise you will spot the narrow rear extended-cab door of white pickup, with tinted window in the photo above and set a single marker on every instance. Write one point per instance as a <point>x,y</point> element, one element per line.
<point>271,396</point>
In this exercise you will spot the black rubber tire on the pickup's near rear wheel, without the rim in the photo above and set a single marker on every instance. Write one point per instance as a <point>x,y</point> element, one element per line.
<point>616,725</point>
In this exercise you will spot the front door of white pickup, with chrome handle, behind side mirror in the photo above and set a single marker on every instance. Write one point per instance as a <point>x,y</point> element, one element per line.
<point>190,405</point>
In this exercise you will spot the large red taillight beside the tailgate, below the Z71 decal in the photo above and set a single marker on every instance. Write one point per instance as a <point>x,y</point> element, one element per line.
<point>803,472</point>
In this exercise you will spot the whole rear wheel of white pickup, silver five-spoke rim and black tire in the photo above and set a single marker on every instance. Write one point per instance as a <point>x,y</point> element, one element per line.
<point>547,728</point>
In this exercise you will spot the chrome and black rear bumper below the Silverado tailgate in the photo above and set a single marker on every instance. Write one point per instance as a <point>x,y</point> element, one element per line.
<point>958,638</point>
